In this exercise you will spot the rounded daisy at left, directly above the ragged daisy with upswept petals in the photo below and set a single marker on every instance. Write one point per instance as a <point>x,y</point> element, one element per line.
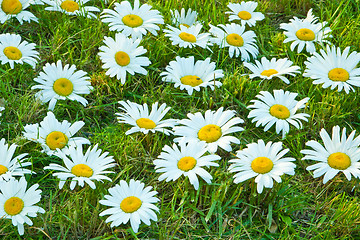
<point>61,83</point>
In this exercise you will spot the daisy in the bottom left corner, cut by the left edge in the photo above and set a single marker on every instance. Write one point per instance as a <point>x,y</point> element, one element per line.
<point>17,203</point>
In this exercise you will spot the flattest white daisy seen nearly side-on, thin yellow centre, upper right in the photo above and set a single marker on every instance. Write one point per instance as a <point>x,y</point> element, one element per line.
<point>274,68</point>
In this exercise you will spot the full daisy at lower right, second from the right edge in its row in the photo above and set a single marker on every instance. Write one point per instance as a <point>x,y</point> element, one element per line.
<point>265,162</point>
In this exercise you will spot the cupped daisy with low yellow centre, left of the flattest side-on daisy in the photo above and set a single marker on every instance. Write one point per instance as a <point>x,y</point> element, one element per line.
<point>190,75</point>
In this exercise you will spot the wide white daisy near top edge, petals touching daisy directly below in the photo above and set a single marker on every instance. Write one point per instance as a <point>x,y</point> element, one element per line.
<point>133,21</point>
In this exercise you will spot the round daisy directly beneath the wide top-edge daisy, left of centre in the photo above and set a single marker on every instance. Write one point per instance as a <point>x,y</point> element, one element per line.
<point>122,55</point>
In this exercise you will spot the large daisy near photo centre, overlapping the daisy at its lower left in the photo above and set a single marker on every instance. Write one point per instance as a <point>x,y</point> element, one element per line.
<point>212,129</point>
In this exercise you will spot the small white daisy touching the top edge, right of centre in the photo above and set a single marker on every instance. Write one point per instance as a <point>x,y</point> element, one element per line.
<point>244,12</point>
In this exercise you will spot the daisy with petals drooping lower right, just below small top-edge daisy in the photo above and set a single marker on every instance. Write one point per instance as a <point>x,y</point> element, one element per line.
<point>239,41</point>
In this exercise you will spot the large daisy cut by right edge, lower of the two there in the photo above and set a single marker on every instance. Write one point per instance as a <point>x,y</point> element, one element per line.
<point>340,154</point>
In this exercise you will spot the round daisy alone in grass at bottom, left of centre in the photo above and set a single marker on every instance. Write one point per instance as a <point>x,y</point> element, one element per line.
<point>130,202</point>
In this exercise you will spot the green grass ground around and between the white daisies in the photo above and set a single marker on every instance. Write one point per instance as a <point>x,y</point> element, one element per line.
<point>301,207</point>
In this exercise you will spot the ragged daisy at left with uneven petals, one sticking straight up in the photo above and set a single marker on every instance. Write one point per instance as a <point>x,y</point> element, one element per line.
<point>52,134</point>
